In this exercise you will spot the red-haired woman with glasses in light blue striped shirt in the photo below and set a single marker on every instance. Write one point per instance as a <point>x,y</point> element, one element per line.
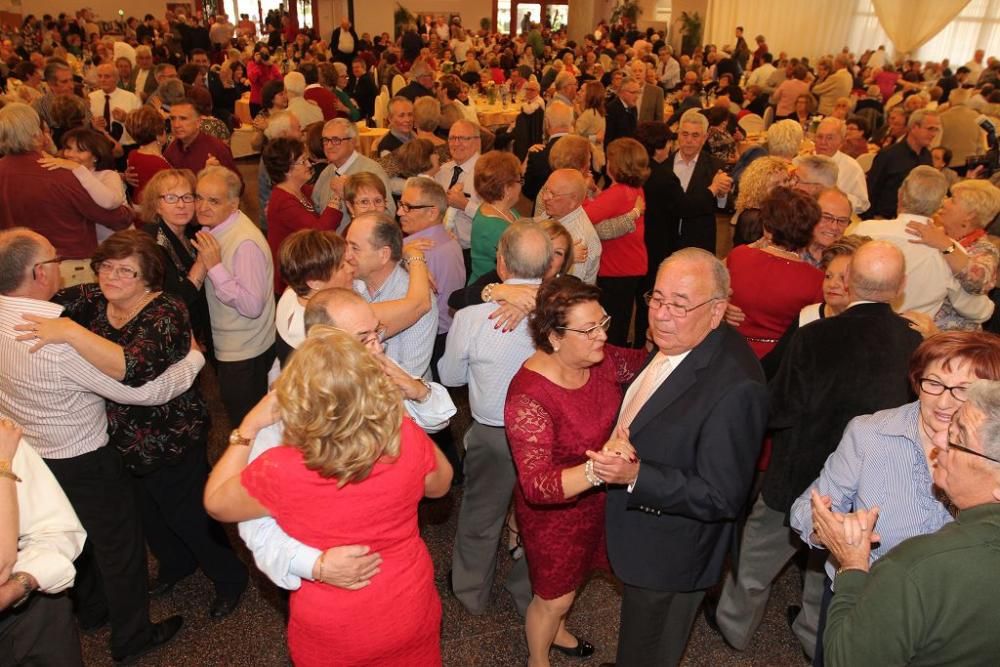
<point>885,460</point>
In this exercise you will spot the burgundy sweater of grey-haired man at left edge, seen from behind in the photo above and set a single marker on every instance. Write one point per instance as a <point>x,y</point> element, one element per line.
<point>54,204</point>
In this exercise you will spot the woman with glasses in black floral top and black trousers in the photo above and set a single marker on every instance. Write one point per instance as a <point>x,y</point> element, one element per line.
<point>129,328</point>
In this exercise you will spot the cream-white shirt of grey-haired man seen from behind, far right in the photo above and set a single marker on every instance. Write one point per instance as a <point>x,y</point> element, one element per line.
<point>929,279</point>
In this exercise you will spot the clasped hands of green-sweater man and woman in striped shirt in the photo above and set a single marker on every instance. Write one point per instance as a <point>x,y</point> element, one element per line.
<point>848,537</point>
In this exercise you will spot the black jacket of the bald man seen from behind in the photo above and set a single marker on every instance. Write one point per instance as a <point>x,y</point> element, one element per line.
<point>834,369</point>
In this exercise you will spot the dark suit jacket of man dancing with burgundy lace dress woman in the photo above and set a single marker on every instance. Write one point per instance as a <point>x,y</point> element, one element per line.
<point>698,437</point>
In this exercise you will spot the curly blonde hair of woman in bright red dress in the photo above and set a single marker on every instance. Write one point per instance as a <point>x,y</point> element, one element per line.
<point>338,406</point>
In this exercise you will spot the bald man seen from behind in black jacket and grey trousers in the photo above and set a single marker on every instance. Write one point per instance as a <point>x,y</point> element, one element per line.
<point>814,395</point>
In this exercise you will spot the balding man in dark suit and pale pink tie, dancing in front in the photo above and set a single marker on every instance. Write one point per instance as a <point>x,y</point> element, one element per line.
<point>695,416</point>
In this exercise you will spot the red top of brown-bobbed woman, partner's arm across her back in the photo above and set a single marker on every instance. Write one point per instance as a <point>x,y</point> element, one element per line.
<point>624,256</point>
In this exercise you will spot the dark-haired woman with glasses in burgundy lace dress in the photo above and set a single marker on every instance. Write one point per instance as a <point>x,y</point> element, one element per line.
<point>562,403</point>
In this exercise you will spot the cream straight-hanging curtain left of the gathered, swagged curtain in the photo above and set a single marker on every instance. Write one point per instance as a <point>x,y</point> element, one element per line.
<point>798,28</point>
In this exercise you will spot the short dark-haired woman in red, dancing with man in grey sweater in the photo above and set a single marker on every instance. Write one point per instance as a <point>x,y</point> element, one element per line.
<point>290,209</point>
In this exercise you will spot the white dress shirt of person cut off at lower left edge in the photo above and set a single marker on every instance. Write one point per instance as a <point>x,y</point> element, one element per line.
<point>49,535</point>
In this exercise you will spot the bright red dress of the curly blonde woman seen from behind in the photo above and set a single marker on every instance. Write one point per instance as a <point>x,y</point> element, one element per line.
<point>395,621</point>
